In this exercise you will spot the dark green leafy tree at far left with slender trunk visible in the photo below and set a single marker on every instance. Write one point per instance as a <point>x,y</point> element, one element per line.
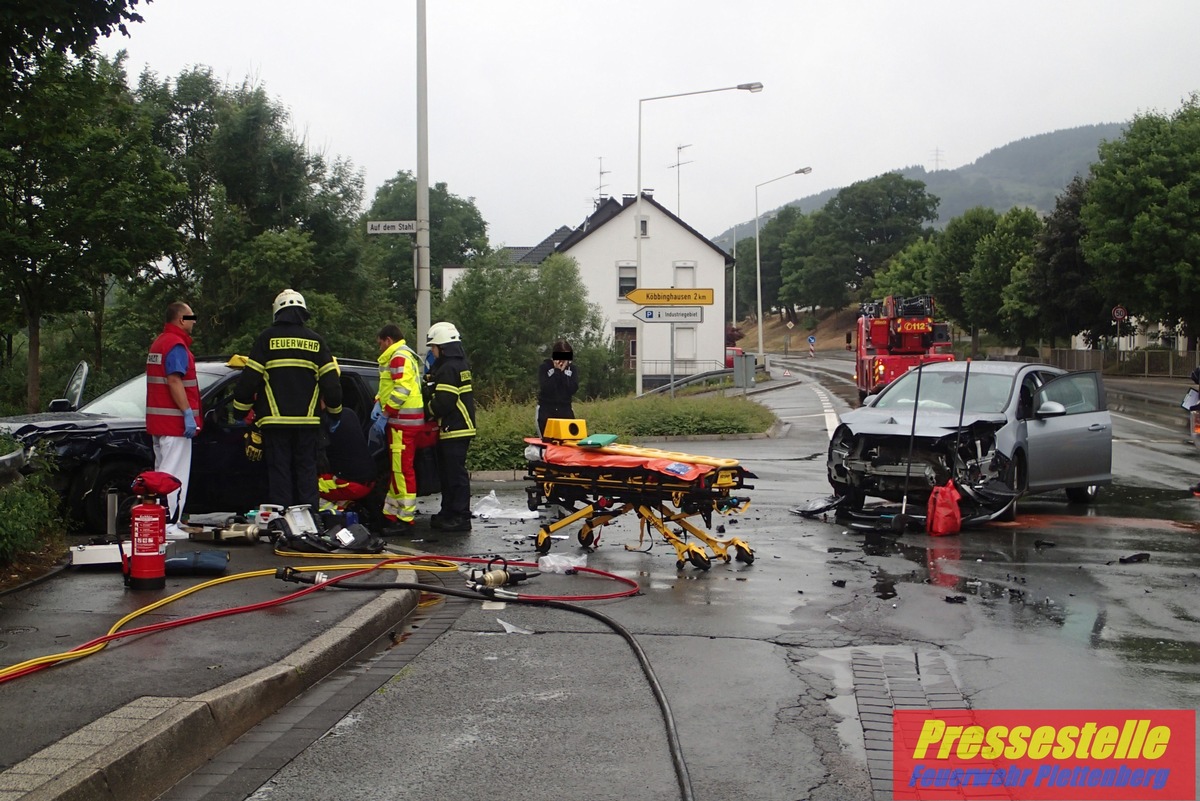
<point>83,197</point>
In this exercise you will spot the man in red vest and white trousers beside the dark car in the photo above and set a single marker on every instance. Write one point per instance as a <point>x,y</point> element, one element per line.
<point>173,406</point>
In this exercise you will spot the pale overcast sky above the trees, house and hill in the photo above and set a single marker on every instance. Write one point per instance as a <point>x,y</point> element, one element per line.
<point>526,98</point>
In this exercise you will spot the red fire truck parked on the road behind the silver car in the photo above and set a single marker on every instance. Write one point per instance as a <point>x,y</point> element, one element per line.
<point>893,335</point>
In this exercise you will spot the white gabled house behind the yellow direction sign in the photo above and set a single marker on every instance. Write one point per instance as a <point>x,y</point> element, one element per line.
<point>674,256</point>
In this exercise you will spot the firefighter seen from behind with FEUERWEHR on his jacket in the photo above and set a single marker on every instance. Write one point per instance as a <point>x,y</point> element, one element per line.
<point>289,374</point>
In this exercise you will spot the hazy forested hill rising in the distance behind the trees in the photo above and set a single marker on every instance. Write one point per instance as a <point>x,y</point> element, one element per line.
<point>1030,172</point>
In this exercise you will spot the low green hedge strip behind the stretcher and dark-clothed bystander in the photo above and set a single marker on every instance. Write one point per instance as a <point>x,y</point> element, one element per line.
<point>500,442</point>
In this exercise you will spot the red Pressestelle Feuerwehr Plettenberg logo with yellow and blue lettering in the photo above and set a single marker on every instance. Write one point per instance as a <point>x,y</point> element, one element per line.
<point>1045,755</point>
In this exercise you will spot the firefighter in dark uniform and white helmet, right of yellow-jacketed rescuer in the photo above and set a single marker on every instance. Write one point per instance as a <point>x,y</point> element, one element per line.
<point>452,403</point>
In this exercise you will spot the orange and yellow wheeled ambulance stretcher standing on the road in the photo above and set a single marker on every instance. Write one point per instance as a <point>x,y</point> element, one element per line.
<point>664,489</point>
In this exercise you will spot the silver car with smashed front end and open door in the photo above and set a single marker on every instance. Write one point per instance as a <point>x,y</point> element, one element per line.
<point>1000,431</point>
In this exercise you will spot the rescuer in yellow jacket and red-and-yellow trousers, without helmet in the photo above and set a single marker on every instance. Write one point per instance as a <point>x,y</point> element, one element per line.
<point>401,409</point>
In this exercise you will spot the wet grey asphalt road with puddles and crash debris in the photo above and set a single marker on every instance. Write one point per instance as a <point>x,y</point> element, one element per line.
<point>779,673</point>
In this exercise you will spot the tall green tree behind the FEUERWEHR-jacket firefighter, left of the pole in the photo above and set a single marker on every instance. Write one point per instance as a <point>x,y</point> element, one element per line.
<point>261,214</point>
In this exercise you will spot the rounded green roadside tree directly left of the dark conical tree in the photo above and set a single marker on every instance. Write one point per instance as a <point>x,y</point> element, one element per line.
<point>992,270</point>
